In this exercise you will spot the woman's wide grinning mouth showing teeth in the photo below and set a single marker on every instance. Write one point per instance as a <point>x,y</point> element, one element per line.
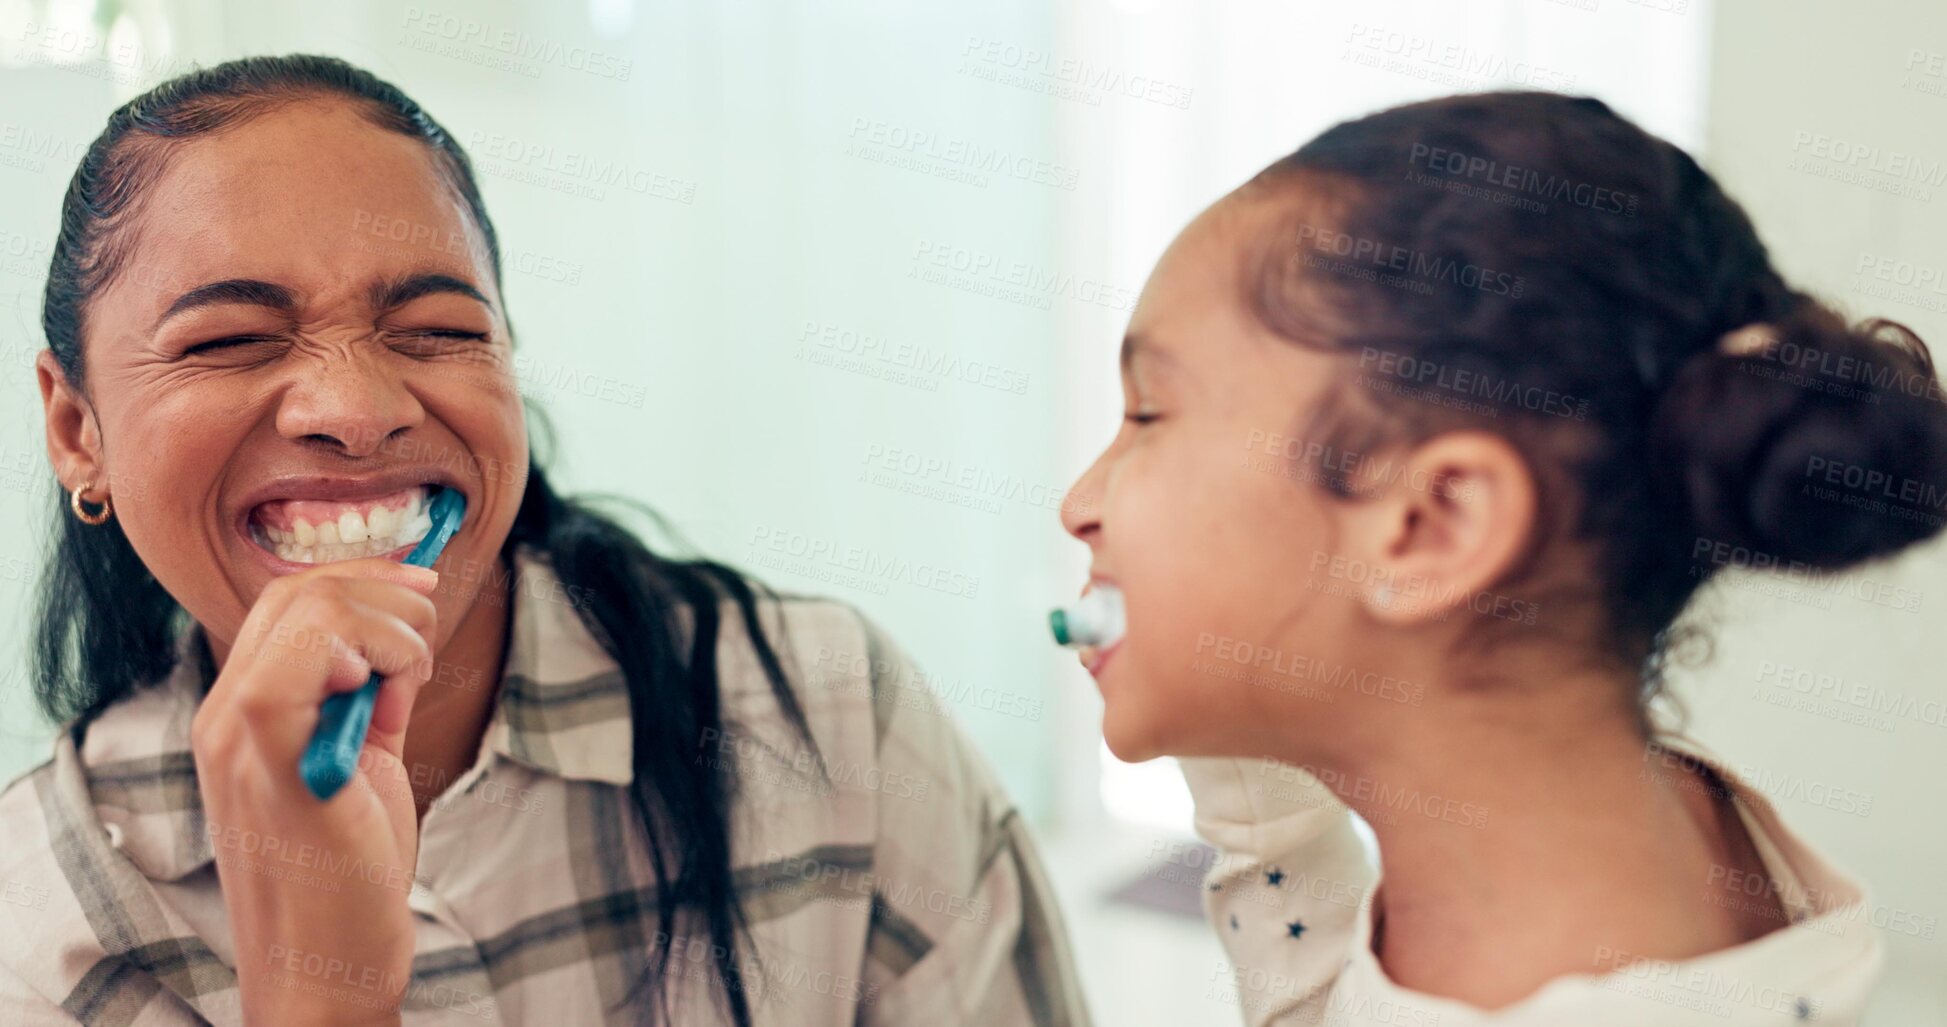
<point>326,521</point>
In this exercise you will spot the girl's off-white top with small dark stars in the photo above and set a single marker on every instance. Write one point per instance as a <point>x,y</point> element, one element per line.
<point>1292,899</point>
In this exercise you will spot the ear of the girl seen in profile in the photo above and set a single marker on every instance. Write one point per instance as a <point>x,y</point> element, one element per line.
<point>1446,523</point>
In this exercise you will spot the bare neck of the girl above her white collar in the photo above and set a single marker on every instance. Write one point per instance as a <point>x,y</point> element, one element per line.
<point>1529,835</point>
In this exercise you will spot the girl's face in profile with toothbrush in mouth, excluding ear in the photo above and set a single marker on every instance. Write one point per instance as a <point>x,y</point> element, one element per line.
<point>1222,554</point>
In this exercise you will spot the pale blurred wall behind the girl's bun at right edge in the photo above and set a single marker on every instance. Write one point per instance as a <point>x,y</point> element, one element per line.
<point>1829,124</point>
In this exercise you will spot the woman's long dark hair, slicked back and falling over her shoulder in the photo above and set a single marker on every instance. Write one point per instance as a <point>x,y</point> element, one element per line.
<point>106,627</point>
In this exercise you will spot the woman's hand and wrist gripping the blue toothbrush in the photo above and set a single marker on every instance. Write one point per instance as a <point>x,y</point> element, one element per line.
<point>316,892</point>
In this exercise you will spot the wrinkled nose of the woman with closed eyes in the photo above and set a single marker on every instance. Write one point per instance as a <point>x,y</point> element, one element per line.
<point>351,400</point>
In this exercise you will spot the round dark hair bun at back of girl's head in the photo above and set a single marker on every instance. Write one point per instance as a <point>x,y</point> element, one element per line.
<point>1808,441</point>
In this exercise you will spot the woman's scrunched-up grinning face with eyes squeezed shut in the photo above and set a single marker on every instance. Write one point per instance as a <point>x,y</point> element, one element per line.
<point>303,338</point>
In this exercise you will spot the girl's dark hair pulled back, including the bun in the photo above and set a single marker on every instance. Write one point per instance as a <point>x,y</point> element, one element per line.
<point>1539,266</point>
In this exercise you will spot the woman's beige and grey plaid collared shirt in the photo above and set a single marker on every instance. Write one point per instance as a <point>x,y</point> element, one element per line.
<point>899,886</point>
